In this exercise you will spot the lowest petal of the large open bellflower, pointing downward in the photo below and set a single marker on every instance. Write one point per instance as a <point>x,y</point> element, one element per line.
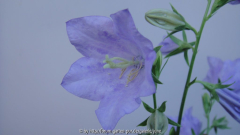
<point>114,106</point>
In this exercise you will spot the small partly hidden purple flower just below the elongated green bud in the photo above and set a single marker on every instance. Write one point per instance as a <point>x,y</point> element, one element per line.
<point>167,46</point>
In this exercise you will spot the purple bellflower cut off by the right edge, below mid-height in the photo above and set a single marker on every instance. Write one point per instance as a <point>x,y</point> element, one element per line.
<point>228,72</point>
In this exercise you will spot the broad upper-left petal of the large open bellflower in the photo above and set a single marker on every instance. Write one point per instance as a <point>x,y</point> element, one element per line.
<point>95,36</point>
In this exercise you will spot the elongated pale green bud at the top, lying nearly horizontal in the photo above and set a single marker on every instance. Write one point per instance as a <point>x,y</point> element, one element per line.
<point>165,19</point>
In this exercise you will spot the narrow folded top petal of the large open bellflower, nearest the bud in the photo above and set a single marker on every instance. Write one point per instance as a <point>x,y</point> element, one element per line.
<point>126,29</point>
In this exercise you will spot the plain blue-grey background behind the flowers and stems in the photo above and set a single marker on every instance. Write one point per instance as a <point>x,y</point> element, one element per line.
<point>35,54</point>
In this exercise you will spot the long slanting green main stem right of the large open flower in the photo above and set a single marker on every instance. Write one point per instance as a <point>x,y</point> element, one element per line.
<point>198,37</point>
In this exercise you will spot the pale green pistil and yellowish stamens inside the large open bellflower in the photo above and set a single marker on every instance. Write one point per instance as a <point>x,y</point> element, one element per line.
<point>123,64</point>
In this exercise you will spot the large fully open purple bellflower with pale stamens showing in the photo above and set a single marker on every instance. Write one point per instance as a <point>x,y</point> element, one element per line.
<point>116,69</point>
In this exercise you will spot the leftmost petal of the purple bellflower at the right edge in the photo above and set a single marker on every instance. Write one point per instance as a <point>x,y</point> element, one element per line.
<point>216,65</point>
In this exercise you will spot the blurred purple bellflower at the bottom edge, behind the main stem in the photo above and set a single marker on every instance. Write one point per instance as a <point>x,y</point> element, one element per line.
<point>188,122</point>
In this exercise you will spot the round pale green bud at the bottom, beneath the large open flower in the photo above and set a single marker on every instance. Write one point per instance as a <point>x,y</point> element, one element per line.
<point>158,122</point>
